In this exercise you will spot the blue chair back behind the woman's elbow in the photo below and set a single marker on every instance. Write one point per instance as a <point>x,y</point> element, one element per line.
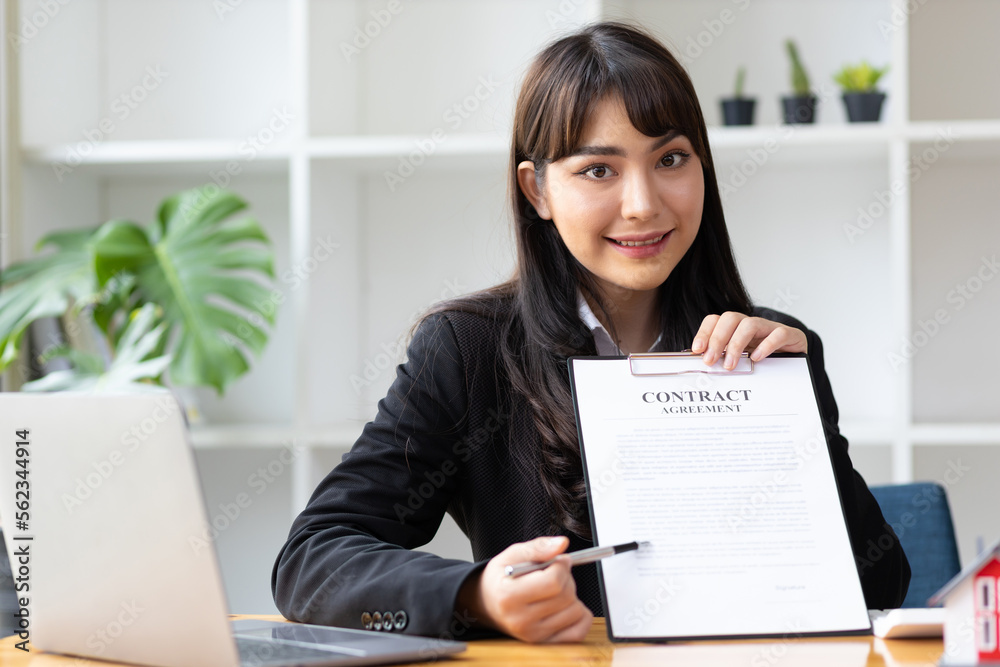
<point>921,517</point>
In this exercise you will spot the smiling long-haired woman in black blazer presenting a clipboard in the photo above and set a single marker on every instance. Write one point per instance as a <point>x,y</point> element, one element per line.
<point>622,247</point>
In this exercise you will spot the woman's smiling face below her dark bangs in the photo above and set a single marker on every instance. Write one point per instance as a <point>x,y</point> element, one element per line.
<point>627,206</point>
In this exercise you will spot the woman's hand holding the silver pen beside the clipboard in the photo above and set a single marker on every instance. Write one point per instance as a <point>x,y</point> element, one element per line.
<point>538,607</point>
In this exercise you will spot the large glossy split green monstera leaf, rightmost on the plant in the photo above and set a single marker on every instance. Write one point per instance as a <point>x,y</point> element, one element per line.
<point>210,275</point>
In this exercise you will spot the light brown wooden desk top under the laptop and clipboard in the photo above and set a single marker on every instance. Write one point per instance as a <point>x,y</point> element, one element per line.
<point>597,651</point>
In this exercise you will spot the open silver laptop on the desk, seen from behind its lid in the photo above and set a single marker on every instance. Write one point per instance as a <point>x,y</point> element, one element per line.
<point>112,527</point>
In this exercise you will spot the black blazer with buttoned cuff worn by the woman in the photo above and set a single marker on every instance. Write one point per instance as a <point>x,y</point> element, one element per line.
<point>442,441</point>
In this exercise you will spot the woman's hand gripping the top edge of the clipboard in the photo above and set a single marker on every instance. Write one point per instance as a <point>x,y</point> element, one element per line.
<point>733,333</point>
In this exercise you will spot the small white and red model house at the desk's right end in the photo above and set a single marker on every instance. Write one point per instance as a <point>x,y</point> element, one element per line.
<point>972,617</point>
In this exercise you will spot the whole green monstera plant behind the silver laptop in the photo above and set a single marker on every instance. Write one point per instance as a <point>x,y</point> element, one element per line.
<point>187,298</point>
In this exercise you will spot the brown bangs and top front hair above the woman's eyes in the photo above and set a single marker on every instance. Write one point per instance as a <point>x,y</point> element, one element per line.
<point>584,71</point>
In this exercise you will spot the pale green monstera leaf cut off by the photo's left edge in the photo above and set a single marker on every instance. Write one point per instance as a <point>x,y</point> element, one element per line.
<point>46,286</point>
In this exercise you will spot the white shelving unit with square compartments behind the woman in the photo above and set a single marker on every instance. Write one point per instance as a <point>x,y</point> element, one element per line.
<point>428,98</point>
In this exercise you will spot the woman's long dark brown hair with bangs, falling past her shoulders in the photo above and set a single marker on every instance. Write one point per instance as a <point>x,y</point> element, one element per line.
<point>561,88</point>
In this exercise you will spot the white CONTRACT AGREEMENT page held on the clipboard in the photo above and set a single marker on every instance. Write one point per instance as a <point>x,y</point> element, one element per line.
<point>727,475</point>
